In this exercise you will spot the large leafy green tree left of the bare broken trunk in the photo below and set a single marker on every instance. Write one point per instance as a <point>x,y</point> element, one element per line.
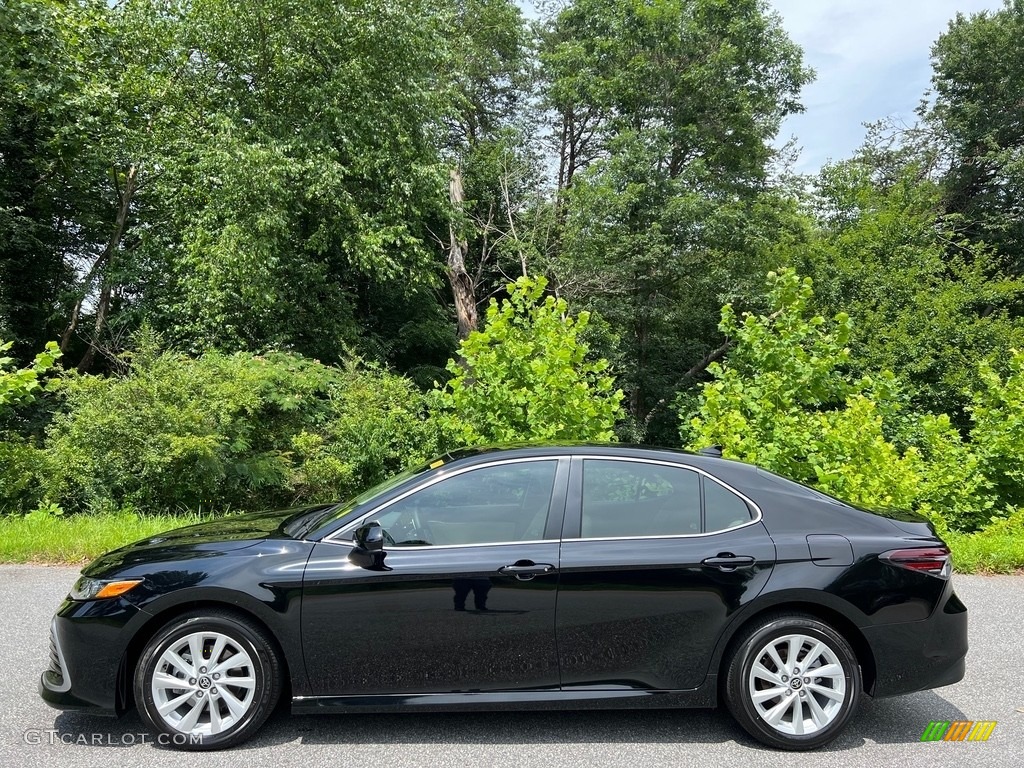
<point>309,169</point>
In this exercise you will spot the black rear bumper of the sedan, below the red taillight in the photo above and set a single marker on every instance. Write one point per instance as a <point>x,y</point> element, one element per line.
<point>919,656</point>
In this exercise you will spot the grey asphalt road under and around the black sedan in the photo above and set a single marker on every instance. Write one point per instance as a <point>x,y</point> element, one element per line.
<point>884,734</point>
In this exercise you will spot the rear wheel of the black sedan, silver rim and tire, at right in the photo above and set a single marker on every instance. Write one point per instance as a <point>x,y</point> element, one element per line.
<point>764,691</point>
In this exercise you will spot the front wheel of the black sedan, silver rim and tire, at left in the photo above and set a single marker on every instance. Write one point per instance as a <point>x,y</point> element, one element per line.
<point>222,703</point>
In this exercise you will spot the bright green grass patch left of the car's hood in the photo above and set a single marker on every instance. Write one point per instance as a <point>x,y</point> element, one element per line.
<point>77,539</point>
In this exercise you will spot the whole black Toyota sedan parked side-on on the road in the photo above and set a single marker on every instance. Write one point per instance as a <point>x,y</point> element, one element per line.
<point>548,577</point>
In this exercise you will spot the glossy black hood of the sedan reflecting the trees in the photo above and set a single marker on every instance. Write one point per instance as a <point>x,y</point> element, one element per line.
<point>202,540</point>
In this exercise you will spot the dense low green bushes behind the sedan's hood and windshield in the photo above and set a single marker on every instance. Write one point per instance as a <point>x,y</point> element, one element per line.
<point>224,432</point>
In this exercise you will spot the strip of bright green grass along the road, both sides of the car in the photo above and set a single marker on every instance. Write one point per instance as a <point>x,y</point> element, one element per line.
<point>77,539</point>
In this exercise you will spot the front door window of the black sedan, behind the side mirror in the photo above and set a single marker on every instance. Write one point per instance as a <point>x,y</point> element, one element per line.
<point>502,503</point>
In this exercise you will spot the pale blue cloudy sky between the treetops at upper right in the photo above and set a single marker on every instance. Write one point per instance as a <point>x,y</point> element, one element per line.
<point>873,61</point>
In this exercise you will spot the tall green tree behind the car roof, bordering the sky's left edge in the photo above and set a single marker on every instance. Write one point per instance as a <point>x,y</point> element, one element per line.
<point>664,116</point>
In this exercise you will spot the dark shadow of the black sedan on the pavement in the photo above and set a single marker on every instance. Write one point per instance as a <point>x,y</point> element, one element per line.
<point>900,720</point>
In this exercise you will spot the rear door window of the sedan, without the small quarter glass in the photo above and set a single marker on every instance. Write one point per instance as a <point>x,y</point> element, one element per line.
<point>630,499</point>
